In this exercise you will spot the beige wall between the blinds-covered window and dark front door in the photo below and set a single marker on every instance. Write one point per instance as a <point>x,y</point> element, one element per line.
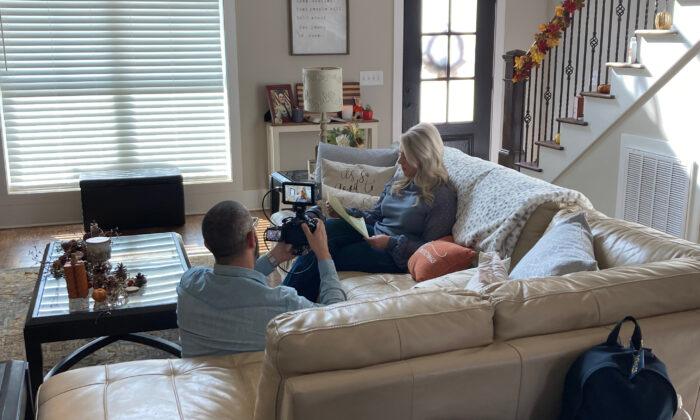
<point>263,58</point>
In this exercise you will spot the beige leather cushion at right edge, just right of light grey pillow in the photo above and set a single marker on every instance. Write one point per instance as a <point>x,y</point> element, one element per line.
<point>619,242</point>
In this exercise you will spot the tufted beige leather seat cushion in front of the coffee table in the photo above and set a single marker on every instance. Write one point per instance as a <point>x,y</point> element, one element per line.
<point>202,388</point>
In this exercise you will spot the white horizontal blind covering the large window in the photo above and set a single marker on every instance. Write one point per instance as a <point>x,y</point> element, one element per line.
<point>123,84</point>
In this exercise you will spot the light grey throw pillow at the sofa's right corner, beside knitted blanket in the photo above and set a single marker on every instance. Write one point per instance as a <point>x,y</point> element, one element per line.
<point>567,247</point>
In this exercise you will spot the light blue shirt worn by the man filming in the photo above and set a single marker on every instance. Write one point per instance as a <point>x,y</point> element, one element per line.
<point>226,310</point>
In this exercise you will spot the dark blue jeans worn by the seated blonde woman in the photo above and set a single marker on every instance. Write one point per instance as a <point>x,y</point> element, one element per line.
<point>350,252</point>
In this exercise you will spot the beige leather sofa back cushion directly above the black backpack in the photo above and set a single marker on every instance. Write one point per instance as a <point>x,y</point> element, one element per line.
<point>590,299</point>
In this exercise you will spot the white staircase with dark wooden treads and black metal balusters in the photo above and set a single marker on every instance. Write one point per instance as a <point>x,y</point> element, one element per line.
<point>534,112</point>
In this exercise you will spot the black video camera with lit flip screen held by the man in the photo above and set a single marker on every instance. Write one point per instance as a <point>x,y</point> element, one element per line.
<point>300,195</point>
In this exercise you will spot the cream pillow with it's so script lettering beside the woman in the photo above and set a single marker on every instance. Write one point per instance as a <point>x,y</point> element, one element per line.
<point>358,178</point>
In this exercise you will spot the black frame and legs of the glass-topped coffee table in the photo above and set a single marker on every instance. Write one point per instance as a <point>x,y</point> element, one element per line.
<point>109,325</point>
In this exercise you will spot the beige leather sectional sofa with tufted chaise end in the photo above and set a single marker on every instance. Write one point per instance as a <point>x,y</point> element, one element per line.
<point>397,352</point>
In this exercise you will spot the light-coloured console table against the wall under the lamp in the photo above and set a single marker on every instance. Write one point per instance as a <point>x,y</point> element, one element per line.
<point>274,131</point>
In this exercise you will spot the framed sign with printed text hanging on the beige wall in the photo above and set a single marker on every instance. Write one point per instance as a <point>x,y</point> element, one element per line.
<point>318,27</point>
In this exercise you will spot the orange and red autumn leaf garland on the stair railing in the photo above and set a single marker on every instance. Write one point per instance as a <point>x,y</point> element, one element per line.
<point>547,38</point>
